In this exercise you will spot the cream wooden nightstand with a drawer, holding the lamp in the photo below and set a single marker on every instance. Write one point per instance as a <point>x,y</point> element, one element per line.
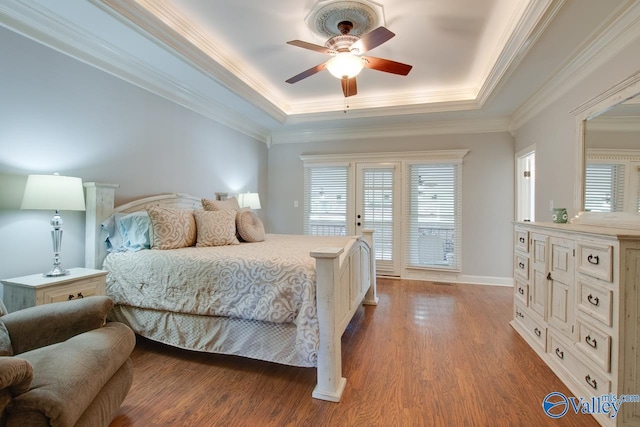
<point>36,289</point>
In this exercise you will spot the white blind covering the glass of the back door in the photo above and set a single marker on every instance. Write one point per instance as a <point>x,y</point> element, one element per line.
<point>377,190</point>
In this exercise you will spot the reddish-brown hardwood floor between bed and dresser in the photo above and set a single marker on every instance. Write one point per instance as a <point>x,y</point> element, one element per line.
<point>427,355</point>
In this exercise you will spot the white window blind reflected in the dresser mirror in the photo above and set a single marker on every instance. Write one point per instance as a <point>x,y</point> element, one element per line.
<point>604,187</point>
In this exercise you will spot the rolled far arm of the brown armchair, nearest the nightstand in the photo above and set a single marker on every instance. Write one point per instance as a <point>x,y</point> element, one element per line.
<point>47,324</point>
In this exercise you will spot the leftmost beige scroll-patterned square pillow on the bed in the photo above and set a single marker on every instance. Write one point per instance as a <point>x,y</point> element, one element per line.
<point>171,228</point>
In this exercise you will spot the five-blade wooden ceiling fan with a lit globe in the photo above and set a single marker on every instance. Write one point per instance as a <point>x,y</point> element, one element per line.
<point>347,61</point>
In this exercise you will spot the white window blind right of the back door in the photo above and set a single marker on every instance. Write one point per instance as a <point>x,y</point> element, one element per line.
<point>433,213</point>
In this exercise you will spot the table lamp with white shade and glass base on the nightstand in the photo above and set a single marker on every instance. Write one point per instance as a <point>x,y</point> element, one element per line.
<point>56,193</point>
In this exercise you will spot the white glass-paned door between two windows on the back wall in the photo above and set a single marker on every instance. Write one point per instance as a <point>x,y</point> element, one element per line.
<point>377,204</point>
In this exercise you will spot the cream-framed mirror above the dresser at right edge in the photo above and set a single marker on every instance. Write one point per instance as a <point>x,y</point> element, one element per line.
<point>607,189</point>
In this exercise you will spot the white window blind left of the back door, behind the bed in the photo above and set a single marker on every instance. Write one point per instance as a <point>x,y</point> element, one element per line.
<point>326,200</point>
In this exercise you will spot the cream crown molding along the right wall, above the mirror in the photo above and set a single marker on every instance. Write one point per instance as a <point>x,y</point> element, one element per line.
<point>604,43</point>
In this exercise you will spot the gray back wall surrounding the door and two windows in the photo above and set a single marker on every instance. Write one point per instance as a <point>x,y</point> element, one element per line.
<point>487,199</point>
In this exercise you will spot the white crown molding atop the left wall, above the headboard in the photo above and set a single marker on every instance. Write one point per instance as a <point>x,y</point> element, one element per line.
<point>45,27</point>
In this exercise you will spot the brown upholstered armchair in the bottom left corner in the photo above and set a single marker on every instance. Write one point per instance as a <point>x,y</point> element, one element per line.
<point>62,365</point>
